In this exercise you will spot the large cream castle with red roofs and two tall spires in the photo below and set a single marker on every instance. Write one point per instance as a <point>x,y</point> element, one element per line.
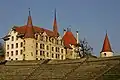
<point>31,42</point>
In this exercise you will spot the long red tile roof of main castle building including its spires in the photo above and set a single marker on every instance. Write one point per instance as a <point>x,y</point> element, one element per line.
<point>29,30</point>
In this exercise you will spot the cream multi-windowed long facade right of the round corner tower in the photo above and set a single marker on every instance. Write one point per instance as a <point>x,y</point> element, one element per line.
<point>49,47</point>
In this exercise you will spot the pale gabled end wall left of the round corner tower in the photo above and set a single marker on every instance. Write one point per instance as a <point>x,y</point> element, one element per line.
<point>13,52</point>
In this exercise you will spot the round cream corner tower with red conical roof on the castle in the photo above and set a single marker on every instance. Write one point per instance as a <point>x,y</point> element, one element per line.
<point>29,41</point>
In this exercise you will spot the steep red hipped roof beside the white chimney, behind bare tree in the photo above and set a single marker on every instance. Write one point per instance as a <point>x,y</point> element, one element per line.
<point>68,39</point>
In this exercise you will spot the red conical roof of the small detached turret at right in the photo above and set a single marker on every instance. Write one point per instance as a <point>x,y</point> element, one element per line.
<point>106,45</point>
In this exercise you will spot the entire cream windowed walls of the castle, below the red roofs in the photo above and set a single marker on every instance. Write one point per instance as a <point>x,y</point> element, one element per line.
<point>38,48</point>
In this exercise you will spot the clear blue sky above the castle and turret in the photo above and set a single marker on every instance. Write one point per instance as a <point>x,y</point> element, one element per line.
<point>91,17</point>
